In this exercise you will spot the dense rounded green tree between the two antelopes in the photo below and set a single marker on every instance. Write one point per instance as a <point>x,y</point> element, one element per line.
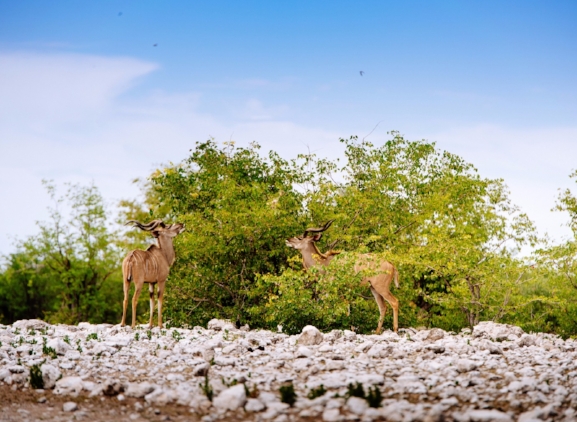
<point>238,208</point>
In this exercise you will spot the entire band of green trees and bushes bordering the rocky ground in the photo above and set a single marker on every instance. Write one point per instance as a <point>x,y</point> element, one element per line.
<point>454,236</point>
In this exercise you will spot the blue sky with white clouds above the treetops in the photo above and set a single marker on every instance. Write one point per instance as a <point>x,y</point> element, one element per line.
<point>86,96</point>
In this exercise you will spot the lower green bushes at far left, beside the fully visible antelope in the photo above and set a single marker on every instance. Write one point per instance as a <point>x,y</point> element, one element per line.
<point>69,272</point>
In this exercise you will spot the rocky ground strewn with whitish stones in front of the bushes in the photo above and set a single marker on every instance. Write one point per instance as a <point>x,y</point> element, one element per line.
<point>103,372</point>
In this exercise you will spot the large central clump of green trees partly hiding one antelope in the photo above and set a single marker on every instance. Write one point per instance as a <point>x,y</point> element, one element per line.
<point>452,234</point>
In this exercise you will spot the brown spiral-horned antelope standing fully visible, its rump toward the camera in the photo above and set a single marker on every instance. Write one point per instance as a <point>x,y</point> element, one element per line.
<point>150,266</point>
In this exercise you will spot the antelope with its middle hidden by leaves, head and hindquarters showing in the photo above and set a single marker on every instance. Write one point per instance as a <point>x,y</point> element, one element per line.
<point>380,283</point>
